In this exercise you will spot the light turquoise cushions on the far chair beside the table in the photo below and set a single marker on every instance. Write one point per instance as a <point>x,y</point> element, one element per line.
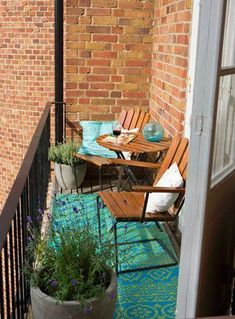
<point>92,130</point>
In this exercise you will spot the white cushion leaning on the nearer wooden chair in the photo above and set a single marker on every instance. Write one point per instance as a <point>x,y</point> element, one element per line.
<point>161,202</point>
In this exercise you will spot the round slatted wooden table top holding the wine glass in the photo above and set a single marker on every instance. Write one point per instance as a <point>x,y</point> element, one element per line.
<point>137,145</point>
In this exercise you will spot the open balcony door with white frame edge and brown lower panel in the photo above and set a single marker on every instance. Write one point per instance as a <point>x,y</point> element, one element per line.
<point>207,250</point>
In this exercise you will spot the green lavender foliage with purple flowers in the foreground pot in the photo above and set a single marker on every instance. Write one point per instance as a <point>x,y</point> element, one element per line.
<point>69,264</point>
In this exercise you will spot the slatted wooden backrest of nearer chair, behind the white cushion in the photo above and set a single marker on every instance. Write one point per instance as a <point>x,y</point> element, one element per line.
<point>177,153</point>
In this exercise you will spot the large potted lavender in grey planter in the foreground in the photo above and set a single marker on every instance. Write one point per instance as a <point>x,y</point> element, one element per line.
<point>70,274</point>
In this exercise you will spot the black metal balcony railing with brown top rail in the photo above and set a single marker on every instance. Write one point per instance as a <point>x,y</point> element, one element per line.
<point>27,195</point>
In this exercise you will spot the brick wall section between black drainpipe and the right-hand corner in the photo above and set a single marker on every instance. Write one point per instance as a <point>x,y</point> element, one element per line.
<point>107,57</point>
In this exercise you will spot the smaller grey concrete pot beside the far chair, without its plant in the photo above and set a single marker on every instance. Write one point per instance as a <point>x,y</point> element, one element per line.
<point>70,177</point>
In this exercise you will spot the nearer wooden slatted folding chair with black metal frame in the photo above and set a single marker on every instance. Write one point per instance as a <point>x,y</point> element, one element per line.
<point>131,206</point>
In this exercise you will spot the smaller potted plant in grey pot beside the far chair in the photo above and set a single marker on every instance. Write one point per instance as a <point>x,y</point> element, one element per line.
<point>69,169</point>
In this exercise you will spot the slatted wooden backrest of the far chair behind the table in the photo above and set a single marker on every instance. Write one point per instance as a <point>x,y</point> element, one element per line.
<point>134,118</point>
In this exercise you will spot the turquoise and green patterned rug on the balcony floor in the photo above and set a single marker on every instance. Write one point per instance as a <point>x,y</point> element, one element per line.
<point>141,294</point>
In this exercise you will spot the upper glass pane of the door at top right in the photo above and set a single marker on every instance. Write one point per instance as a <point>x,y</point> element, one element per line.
<point>228,56</point>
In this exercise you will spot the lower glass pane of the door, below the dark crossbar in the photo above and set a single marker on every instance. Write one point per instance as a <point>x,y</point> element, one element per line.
<point>224,147</point>
